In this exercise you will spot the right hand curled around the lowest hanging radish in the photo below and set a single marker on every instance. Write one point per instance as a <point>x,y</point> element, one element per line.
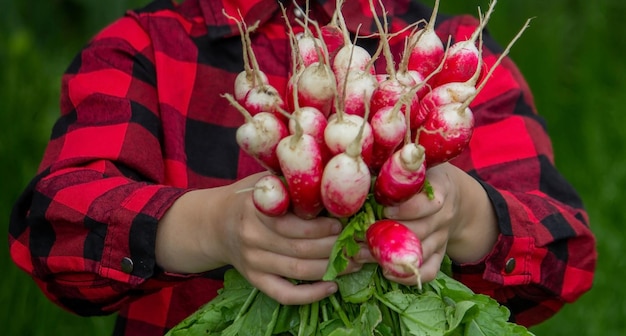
<point>459,221</point>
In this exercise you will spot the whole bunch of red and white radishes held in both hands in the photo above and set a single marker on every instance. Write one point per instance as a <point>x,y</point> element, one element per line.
<point>344,132</point>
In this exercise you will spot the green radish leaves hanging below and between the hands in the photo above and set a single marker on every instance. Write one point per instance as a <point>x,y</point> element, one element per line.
<point>366,303</point>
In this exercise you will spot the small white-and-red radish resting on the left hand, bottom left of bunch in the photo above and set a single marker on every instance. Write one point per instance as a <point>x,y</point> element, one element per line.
<point>270,196</point>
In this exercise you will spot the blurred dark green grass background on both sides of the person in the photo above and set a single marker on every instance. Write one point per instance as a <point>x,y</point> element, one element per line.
<point>572,56</point>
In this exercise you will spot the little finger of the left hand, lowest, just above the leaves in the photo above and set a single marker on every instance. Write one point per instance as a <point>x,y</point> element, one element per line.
<point>288,293</point>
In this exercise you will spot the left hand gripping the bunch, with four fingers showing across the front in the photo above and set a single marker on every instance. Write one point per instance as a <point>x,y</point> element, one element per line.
<point>223,227</point>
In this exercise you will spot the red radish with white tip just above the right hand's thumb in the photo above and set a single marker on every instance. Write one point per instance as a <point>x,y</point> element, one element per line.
<point>401,176</point>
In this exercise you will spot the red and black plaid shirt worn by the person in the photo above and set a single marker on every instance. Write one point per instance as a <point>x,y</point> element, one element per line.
<point>142,122</point>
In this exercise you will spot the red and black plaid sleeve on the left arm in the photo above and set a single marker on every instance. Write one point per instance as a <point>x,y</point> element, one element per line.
<point>85,228</point>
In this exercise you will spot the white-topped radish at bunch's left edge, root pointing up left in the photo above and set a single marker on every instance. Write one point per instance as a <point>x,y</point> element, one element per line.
<point>259,135</point>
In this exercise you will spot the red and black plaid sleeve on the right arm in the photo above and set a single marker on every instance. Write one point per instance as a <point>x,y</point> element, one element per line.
<point>545,255</point>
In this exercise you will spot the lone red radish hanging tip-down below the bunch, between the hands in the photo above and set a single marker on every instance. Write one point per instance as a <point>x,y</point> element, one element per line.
<point>396,248</point>
